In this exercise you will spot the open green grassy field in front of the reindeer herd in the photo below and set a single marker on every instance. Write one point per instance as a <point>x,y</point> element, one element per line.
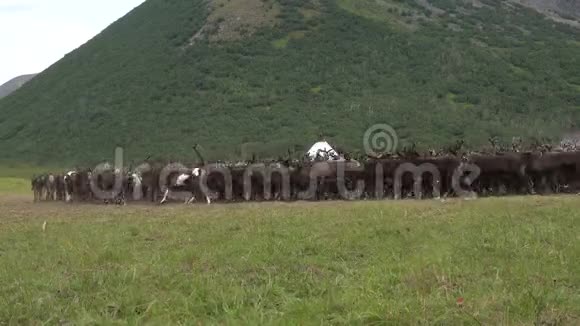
<point>490,261</point>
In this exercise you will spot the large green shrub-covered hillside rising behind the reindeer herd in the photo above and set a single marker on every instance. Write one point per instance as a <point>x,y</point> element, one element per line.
<point>267,75</point>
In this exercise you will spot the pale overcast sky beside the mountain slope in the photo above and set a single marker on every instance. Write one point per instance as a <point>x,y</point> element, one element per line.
<point>36,33</point>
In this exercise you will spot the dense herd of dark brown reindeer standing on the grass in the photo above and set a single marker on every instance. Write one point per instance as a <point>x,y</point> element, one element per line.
<point>453,172</point>
